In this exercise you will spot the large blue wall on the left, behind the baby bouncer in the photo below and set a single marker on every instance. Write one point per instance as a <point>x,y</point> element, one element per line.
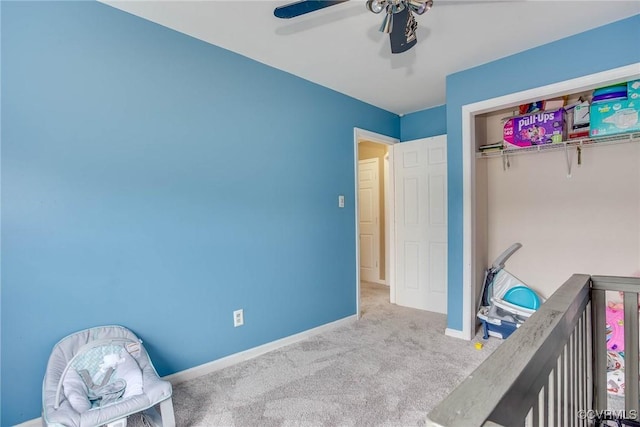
<point>155,181</point>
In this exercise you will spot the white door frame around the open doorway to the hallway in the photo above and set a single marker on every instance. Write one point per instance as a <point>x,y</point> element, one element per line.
<point>365,135</point>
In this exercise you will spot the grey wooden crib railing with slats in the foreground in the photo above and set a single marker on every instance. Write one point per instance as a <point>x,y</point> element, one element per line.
<point>546,372</point>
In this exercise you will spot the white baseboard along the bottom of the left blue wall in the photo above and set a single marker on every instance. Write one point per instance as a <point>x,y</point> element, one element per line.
<point>198,371</point>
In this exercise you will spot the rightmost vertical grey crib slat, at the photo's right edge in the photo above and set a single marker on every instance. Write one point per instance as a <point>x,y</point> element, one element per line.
<point>631,353</point>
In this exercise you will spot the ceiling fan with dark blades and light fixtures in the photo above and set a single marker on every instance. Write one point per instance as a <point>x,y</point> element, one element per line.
<point>398,22</point>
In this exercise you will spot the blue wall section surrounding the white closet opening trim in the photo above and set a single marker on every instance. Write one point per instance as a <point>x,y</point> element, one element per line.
<point>586,53</point>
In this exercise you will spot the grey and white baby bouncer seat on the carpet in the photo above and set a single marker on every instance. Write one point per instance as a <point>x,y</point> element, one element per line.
<point>100,376</point>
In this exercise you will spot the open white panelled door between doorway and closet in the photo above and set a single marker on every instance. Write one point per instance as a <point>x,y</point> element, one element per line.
<point>421,223</point>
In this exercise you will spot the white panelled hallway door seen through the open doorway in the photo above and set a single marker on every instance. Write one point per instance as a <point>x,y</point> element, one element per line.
<point>369,212</point>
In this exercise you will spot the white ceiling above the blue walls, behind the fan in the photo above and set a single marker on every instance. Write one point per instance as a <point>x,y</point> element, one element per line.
<point>340,47</point>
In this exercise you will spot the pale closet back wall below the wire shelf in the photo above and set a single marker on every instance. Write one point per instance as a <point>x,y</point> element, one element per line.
<point>589,223</point>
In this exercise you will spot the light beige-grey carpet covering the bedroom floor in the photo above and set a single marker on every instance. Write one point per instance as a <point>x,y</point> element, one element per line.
<point>389,368</point>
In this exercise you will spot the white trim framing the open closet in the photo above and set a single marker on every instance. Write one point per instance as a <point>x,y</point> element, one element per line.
<point>470,261</point>
